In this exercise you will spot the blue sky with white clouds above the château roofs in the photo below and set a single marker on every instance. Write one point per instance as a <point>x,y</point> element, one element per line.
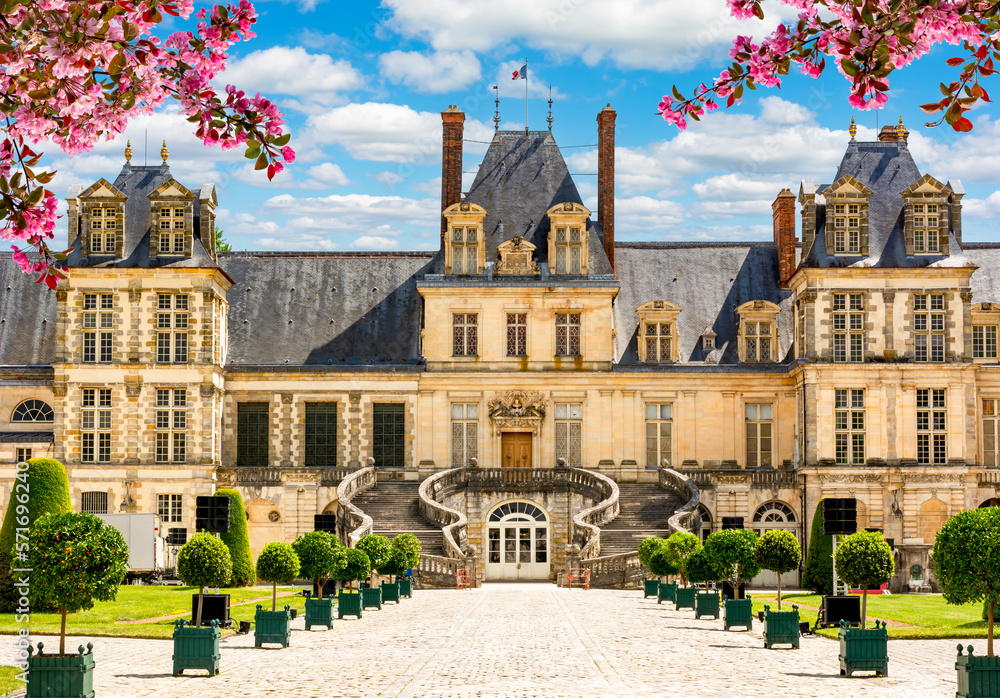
<point>363,83</point>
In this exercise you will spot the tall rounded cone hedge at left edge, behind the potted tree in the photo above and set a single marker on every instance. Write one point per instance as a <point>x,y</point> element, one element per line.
<point>43,487</point>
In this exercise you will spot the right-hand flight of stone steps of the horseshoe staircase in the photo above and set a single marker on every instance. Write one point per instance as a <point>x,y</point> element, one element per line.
<point>644,510</point>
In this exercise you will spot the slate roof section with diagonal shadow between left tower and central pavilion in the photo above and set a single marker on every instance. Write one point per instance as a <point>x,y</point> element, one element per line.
<point>337,310</point>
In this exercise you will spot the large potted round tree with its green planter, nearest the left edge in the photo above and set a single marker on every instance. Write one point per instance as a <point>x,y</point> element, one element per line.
<point>75,559</point>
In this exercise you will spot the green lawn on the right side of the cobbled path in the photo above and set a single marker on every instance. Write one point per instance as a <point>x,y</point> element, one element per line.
<point>928,616</point>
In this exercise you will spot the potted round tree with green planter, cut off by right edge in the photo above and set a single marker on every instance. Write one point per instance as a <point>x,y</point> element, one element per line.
<point>966,558</point>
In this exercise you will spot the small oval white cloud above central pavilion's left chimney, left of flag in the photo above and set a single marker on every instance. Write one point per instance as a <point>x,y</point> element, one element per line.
<point>441,71</point>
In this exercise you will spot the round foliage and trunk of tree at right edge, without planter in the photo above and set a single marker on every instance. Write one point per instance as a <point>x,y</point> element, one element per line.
<point>966,558</point>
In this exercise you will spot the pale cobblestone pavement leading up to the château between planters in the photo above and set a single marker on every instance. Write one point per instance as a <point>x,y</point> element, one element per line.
<point>522,641</point>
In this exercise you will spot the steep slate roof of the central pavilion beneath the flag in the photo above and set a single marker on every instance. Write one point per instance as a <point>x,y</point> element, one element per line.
<point>520,178</point>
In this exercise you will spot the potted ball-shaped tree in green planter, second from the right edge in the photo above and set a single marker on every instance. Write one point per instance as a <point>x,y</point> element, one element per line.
<point>864,559</point>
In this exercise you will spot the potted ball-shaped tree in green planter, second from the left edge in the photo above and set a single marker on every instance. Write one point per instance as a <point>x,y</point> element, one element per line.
<point>203,561</point>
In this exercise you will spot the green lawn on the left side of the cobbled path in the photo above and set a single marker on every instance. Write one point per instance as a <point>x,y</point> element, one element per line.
<point>144,602</point>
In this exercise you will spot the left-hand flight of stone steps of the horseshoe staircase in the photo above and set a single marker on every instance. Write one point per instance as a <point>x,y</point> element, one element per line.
<point>395,508</point>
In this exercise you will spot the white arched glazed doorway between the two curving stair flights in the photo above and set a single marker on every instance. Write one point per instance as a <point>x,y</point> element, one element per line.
<point>517,535</point>
